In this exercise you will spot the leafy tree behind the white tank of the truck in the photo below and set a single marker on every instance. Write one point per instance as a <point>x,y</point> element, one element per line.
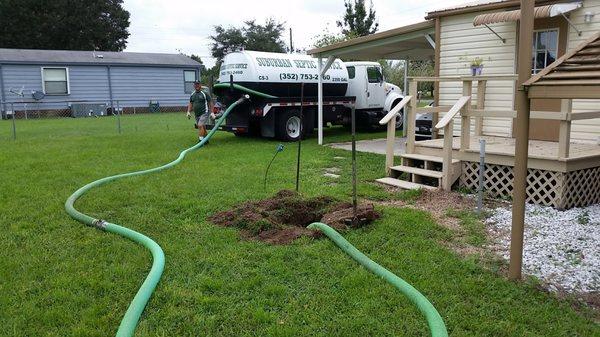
<point>251,36</point>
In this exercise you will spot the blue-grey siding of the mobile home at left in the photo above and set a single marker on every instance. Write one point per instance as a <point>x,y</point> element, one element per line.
<point>131,85</point>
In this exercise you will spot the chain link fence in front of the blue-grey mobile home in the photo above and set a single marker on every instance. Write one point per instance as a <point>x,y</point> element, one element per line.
<point>20,116</point>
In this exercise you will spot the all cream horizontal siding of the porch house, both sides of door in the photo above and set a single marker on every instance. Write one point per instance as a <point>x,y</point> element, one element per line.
<point>461,41</point>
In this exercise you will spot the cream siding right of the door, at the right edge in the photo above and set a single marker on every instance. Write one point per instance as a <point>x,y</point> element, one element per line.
<point>585,130</point>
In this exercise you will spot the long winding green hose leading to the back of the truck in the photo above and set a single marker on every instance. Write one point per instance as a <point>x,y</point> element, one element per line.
<point>136,307</point>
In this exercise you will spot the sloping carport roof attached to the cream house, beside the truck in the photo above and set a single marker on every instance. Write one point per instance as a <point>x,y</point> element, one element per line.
<point>399,43</point>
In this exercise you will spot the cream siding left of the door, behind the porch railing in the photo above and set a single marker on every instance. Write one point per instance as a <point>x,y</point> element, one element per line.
<point>459,43</point>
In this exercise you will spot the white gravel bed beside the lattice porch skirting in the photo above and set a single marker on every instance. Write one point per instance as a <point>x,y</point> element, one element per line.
<point>561,248</point>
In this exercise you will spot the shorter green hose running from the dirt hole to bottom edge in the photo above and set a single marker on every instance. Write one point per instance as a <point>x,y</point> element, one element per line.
<point>434,320</point>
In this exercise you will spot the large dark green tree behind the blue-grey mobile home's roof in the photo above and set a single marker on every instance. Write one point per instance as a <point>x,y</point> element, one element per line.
<point>64,24</point>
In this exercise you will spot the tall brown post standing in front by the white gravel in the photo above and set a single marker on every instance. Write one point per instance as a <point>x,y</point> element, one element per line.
<point>522,140</point>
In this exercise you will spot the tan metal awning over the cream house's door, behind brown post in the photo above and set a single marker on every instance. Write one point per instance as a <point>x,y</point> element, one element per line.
<point>539,12</point>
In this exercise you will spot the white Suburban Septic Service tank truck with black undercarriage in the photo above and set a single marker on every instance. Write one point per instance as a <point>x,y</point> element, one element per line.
<point>274,83</point>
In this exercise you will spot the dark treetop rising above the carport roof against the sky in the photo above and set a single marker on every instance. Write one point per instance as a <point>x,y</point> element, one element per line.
<point>357,20</point>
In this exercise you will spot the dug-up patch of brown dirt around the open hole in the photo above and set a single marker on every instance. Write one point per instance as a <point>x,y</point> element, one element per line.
<point>283,218</point>
